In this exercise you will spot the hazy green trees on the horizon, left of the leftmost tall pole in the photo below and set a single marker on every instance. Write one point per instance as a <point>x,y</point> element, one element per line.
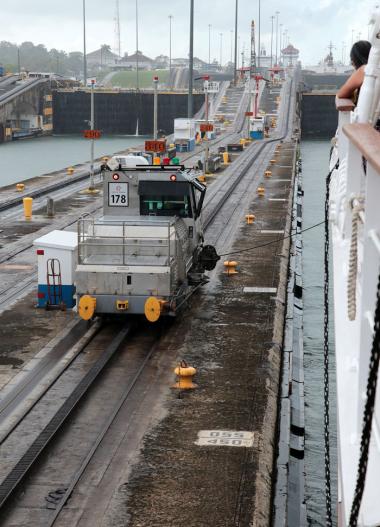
<point>30,57</point>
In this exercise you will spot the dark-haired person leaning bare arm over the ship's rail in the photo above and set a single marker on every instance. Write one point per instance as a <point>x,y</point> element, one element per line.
<point>359,58</point>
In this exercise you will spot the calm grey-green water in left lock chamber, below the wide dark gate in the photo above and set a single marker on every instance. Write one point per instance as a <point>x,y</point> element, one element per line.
<point>28,158</point>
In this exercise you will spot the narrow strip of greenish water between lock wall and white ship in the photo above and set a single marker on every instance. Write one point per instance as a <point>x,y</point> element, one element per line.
<point>315,164</point>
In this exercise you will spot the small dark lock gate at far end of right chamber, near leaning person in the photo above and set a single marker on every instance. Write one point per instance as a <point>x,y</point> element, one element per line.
<point>319,116</point>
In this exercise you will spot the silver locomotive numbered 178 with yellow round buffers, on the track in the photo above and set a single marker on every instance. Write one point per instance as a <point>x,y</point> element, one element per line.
<point>146,253</point>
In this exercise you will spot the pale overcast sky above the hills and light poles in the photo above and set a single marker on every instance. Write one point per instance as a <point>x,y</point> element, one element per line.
<point>311,24</point>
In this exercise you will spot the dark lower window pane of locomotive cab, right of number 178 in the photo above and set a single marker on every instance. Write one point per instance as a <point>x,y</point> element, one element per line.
<point>166,206</point>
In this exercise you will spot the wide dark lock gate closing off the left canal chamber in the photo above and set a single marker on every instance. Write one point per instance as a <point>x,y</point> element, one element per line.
<point>118,113</point>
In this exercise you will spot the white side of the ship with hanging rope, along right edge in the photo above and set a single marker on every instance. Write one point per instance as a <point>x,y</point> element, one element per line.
<point>355,207</point>
